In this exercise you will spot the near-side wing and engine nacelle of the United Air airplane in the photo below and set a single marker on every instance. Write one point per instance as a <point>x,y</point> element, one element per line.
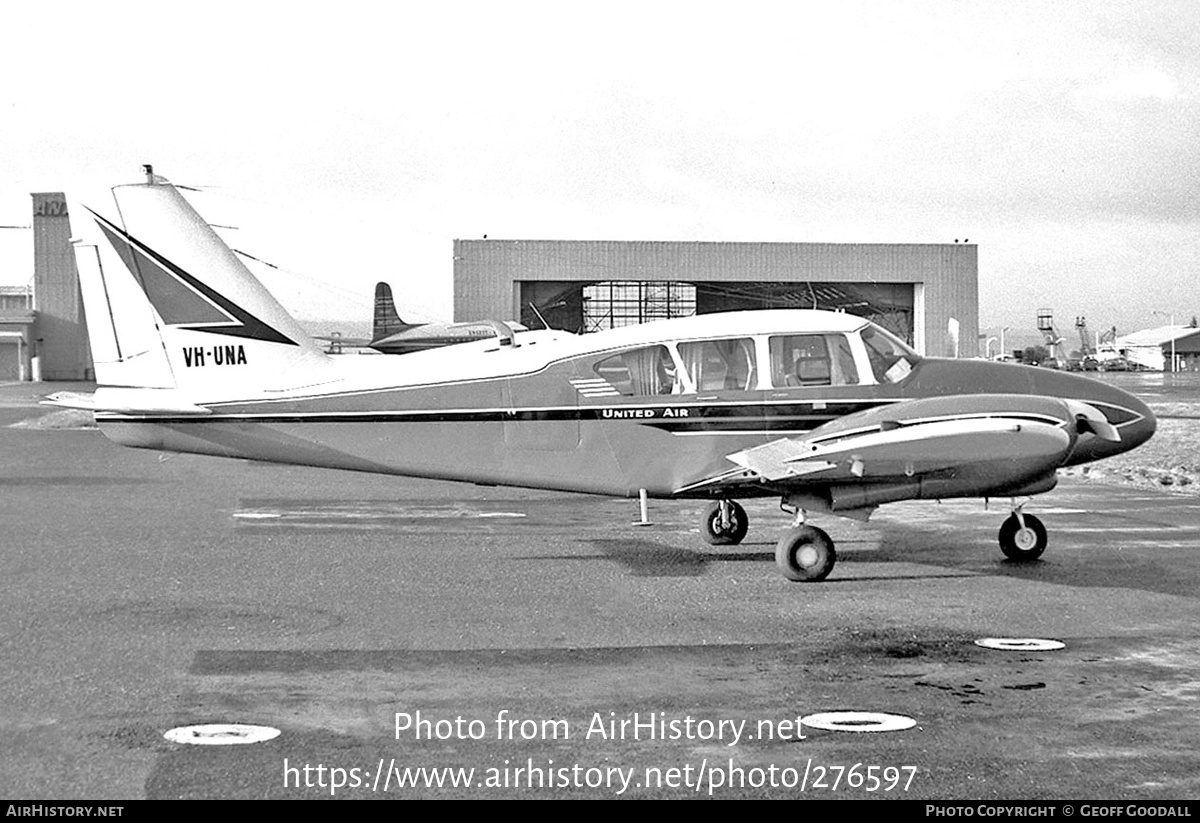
<point>928,448</point>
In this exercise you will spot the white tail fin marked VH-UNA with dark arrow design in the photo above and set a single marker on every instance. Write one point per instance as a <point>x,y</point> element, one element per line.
<point>171,307</point>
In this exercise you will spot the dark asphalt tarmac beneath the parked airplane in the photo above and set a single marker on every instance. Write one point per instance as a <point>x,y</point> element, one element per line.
<point>387,626</point>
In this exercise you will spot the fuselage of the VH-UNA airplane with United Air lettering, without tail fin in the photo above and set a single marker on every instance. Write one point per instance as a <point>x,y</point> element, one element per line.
<point>537,414</point>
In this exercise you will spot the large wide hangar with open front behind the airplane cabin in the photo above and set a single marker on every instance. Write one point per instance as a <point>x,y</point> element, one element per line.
<point>926,293</point>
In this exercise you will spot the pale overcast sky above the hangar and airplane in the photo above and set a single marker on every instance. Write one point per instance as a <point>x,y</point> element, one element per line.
<point>353,142</point>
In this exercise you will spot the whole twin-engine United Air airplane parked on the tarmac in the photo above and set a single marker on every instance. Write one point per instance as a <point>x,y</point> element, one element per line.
<point>825,411</point>
